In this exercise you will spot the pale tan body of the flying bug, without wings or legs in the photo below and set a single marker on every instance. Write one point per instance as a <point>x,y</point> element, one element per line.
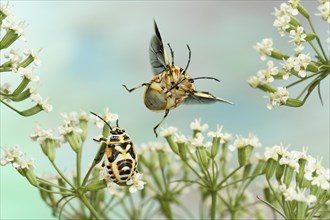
<point>168,89</point>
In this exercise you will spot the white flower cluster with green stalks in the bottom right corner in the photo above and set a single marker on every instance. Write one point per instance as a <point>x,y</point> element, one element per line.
<point>303,182</point>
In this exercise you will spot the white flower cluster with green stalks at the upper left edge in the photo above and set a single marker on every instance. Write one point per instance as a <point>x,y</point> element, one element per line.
<point>19,63</point>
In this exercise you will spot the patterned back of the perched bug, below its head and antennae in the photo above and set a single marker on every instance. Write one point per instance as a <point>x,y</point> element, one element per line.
<point>121,161</point>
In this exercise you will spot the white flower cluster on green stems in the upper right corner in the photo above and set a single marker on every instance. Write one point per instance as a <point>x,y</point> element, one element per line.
<point>299,66</point>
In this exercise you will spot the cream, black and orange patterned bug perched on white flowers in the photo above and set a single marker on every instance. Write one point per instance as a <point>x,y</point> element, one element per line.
<point>120,156</point>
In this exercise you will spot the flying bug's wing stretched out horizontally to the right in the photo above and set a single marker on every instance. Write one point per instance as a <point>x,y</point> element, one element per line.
<point>203,98</point>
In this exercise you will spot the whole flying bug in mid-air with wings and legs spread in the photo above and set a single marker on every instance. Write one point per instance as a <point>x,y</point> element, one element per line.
<point>171,85</point>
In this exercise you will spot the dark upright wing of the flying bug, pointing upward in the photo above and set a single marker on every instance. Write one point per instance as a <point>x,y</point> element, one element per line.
<point>157,54</point>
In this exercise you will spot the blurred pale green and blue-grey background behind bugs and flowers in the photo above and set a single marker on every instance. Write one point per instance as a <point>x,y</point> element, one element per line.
<point>91,48</point>
